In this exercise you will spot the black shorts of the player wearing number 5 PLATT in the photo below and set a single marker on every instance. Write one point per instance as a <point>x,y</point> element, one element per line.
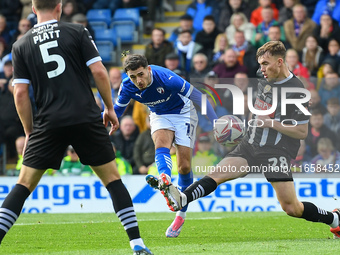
<point>46,149</point>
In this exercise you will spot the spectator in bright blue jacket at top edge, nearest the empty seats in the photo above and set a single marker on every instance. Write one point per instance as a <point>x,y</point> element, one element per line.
<point>198,9</point>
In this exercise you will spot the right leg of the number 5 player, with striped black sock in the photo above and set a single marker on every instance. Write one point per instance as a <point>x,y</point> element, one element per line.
<point>122,204</point>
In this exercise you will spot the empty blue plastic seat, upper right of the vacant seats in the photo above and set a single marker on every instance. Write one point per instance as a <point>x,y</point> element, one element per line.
<point>128,24</point>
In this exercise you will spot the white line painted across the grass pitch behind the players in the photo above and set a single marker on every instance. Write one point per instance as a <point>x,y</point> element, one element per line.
<point>96,222</point>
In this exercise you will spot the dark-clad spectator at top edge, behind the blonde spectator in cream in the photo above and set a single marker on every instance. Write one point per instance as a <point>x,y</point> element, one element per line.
<point>229,8</point>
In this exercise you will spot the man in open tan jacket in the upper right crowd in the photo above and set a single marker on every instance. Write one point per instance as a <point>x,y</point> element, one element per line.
<point>299,27</point>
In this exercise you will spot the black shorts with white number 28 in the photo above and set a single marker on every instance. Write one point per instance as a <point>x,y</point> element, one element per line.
<point>273,162</point>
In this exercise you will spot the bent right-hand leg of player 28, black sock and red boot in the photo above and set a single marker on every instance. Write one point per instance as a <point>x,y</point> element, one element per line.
<point>286,195</point>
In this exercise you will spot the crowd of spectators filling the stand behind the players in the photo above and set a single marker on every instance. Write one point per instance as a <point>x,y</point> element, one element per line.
<point>215,42</point>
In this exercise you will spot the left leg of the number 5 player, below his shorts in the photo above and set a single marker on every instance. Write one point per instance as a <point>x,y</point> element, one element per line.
<point>14,202</point>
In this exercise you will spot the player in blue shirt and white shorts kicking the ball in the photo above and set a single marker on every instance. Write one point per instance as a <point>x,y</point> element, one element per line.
<point>173,119</point>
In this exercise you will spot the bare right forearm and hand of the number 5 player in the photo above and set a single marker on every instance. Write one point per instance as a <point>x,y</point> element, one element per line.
<point>102,81</point>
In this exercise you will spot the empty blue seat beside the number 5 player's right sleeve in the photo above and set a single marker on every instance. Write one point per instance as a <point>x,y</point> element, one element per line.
<point>109,45</point>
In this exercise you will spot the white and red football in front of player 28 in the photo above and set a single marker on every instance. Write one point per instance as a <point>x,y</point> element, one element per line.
<point>229,130</point>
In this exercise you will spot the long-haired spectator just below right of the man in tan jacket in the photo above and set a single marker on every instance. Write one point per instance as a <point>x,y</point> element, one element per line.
<point>312,55</point>
